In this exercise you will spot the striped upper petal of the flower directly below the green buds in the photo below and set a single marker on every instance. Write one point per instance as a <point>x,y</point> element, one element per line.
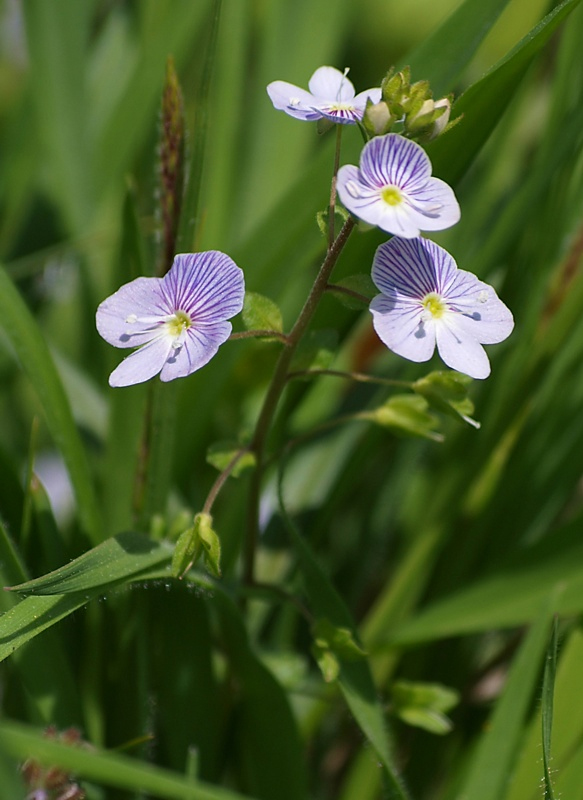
<point>392,160</point>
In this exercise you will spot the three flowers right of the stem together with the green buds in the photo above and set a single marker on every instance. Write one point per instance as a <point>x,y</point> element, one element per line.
<point>425,300</point>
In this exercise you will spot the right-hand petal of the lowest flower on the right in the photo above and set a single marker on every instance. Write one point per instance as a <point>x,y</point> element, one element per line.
<point>481,312</point>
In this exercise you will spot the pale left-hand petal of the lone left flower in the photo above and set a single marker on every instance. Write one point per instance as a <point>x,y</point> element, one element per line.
<point>142,300</point>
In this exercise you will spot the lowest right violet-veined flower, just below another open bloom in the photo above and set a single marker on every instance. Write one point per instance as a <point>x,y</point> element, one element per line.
<point>426,300</point>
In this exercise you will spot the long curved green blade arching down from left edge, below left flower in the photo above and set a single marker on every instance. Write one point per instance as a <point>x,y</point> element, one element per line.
<point>28,342</point>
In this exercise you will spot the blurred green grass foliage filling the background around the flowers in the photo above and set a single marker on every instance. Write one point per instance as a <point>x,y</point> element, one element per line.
<point>409,559</point>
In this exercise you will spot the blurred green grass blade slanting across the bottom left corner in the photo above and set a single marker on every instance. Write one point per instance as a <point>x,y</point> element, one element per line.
<point>109,769</point>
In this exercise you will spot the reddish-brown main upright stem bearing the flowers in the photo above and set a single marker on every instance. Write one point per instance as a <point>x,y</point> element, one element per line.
<point>276,388</point>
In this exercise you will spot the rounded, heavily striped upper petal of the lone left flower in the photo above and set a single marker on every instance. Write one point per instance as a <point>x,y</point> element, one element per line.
<point>208,286</point>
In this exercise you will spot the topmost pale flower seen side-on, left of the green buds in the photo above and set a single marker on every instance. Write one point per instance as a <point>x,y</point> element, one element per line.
<point>331,96</point>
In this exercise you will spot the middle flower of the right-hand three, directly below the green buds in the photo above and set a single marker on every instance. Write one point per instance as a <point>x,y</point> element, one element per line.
<point>394,190</point>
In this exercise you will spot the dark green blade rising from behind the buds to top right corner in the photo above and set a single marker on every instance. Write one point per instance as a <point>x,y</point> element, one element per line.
<point>485,101</point>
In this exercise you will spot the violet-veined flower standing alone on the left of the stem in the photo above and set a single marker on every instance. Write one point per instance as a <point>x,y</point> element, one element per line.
<point>177,322</point>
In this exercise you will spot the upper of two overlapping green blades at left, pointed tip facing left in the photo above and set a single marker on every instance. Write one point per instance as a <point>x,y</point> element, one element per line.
<point>120,558</point>
